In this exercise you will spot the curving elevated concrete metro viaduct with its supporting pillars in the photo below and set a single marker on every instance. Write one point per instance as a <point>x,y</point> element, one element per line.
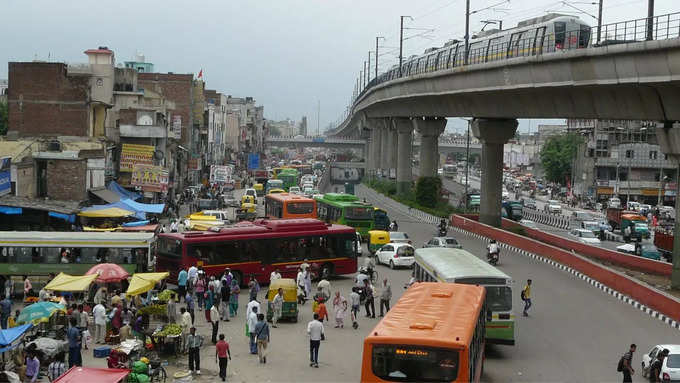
<point>631,77</point>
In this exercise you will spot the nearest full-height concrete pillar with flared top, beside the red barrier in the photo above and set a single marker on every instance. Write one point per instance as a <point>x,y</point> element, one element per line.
<point>493,133</point>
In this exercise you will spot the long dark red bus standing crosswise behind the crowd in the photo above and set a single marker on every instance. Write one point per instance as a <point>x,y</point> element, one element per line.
<point>260,247</point>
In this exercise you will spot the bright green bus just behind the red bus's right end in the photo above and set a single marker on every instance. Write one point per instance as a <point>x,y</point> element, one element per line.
<point>346,209</point>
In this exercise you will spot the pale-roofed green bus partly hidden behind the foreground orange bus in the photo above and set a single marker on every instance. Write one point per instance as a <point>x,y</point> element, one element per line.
<point>460,266</point>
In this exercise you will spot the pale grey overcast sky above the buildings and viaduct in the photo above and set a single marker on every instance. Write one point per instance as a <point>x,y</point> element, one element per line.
<point>287,54</point>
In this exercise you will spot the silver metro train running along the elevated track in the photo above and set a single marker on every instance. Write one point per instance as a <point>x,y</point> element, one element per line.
<point>550,33</point>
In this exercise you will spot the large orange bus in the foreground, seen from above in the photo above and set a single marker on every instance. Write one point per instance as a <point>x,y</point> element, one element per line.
<point>435,333</point>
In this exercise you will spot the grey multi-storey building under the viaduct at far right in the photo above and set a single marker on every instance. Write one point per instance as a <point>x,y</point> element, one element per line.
<point>622,158</point>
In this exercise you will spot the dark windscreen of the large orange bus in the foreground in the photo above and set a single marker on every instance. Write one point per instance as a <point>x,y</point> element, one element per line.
<point>401,363</point>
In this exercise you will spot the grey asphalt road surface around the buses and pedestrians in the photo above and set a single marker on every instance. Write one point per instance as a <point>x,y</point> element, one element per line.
<point>575,332</point>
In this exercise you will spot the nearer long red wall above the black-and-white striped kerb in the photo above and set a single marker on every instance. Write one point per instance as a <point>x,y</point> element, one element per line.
<point>620,282</point>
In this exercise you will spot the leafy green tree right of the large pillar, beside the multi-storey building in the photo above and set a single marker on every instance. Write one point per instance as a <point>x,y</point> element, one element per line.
<point>557,156</point>
